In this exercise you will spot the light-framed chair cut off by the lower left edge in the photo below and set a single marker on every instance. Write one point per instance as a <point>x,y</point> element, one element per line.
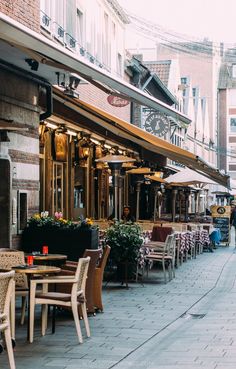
<point>6,293</point>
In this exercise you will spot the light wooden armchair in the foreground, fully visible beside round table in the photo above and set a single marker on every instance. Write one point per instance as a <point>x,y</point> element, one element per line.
<point>70,300</point>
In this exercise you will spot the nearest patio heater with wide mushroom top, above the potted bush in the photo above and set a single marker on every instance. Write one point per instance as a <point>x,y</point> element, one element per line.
<point>115,163</point>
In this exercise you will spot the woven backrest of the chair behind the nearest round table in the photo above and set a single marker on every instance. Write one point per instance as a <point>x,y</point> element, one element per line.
<point>11,259</point>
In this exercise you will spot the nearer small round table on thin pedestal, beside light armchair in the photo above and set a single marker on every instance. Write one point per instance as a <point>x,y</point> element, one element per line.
<point>30,271</point>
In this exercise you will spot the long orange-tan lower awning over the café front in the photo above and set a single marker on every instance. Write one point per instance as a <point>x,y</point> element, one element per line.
<point>144,139</point>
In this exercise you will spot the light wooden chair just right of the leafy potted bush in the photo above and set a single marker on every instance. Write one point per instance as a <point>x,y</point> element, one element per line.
<point>164,253</point>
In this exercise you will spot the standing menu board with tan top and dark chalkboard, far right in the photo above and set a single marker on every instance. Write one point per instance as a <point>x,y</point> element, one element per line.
<point>221,220</point>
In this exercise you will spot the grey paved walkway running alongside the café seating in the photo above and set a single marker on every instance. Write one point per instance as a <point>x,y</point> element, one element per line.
<point>189,322</point>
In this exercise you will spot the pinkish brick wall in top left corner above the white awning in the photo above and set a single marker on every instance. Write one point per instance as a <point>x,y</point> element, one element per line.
<point>26,12</point>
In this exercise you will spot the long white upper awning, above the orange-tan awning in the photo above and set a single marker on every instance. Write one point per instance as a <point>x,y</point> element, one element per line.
<point>53,57</point>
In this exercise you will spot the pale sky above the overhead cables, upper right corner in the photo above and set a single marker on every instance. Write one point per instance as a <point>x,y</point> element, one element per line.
<point>214,19</point>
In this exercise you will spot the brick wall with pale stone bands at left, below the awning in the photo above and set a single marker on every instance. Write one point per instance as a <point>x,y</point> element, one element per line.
<point>19,105</point>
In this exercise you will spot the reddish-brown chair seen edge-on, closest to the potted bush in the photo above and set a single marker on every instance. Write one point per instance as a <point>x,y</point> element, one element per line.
<point>98,278</point>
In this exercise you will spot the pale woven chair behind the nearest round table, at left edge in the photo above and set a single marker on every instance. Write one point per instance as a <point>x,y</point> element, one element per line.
<point>8,259</point>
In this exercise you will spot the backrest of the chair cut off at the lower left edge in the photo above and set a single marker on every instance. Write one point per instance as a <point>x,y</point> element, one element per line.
<point>6,290</point>
